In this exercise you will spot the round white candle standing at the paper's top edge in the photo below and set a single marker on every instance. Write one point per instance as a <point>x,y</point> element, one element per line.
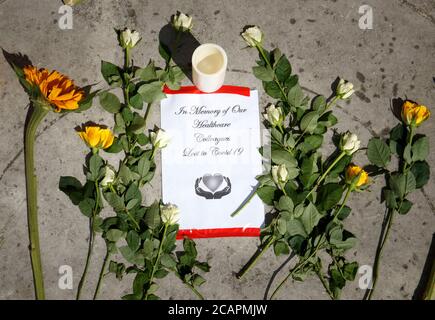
<point>209,63</point>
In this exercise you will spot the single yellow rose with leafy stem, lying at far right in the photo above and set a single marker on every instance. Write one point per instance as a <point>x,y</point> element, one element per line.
<point>412,173</point>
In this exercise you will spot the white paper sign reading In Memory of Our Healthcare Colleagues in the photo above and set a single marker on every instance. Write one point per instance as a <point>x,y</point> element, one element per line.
<point>209,167</point>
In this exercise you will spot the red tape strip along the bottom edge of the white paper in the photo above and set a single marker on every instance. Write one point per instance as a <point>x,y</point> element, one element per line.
<point>218,233</point>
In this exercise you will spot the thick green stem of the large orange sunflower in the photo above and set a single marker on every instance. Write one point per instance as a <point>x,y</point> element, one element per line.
<point>38,113</point>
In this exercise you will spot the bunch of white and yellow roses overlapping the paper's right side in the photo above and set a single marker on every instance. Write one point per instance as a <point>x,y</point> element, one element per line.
<point>308,195</point>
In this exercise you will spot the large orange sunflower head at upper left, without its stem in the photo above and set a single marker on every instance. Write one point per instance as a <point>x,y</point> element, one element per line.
<point>55,87</point>
